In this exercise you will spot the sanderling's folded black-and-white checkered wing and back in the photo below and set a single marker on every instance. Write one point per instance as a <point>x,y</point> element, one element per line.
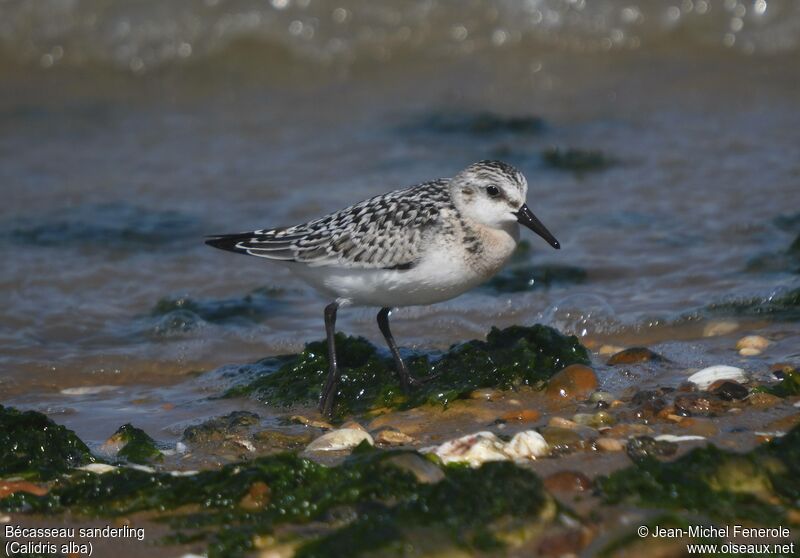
<point>384,232</point>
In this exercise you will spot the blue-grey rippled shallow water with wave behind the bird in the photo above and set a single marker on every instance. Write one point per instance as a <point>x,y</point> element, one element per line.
<point>120,148</point>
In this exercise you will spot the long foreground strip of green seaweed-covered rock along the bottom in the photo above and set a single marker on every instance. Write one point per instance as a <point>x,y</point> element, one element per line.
<point>237,509</point>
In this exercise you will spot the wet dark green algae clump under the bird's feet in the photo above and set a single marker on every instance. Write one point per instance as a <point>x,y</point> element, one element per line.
<point>508,359</point>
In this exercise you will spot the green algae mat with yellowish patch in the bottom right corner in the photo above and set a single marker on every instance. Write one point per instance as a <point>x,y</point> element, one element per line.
<point>760,486</point>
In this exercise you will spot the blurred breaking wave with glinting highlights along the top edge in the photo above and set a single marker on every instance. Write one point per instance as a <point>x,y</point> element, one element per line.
<point>140,35</point>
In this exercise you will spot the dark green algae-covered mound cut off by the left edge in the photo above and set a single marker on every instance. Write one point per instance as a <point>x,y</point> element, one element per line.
<point>34,447</point>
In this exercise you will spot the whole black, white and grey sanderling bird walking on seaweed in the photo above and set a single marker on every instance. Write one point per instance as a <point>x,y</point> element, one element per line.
<point>419,245</point>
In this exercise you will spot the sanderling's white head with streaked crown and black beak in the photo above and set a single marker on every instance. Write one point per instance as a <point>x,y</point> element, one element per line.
<point>493,194</point>
